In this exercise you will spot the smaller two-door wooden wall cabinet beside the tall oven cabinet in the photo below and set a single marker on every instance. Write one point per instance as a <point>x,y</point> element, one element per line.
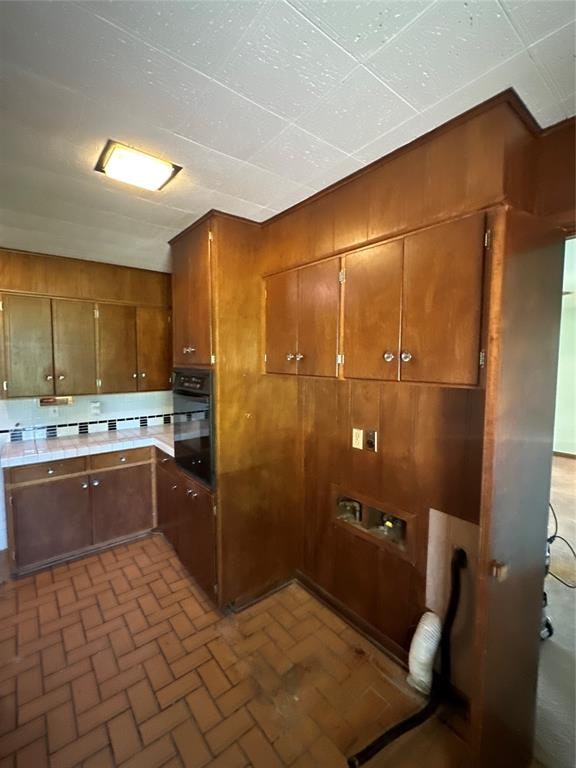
<point>302,313</point>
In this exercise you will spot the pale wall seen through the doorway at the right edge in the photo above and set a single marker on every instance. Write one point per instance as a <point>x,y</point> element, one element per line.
<point>565,420</point>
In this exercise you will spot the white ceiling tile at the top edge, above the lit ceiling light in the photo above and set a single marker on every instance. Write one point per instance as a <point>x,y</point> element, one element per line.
<point>197,33</point>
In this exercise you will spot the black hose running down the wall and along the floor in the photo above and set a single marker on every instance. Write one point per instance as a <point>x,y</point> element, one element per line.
<point>440,682</point>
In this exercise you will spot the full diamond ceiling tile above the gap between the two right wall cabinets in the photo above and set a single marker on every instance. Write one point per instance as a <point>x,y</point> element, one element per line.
<point>336,118</point>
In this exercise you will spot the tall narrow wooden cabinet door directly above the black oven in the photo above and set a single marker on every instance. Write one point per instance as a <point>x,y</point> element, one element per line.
<point>191,302</point>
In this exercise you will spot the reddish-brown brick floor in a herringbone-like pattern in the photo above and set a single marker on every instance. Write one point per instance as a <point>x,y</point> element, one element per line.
<point>119,660</point>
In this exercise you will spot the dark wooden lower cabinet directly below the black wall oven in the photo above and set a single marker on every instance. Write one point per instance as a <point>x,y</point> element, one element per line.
<point>186,517</point>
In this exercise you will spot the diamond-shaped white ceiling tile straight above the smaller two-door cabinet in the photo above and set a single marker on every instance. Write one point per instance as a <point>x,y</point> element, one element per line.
<point>297,155</point>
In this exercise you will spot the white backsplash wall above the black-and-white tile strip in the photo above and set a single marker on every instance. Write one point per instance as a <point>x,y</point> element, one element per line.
<point>26,413</point>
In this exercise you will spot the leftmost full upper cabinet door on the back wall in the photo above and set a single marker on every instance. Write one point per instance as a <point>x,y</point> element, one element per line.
<point>28,346</point>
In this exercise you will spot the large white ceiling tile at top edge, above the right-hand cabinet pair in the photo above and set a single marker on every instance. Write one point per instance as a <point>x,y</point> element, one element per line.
<point>449,45</point>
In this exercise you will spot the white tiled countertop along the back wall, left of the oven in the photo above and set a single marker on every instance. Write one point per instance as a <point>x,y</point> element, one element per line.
<point>37,451</point>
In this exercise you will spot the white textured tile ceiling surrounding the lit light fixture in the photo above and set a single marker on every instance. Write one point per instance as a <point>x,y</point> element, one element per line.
<point>264,102</point>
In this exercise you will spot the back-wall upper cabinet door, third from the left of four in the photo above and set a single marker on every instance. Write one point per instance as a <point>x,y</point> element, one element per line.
<point>117,366</point>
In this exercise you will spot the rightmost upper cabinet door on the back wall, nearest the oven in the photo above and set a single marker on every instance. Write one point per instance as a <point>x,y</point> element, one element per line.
<point>153,345</point>
